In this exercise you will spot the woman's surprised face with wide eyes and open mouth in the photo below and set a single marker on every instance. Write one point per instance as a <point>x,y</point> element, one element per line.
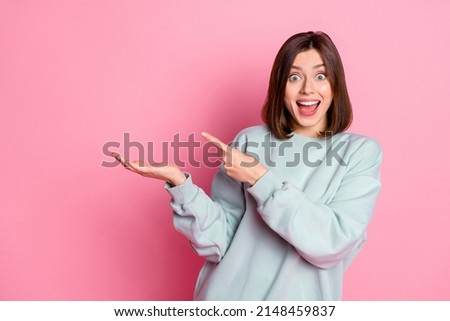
<point>308,93</point>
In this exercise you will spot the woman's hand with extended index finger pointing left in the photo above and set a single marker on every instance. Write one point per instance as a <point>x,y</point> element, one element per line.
<point>238,165</point>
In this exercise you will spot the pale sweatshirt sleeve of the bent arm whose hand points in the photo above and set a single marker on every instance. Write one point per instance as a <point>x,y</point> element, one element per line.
<point>324,234</point>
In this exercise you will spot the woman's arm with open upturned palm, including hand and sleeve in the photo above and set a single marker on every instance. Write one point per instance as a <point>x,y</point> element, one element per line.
<point>209,223</point>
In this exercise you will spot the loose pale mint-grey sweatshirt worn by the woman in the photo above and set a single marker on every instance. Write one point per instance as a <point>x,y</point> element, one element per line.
<point>293,233</point>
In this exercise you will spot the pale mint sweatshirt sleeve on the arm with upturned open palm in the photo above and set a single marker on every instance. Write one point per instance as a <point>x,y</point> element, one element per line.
<point>209,223</point>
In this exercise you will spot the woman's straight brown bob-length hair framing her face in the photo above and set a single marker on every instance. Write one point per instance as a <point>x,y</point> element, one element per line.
<point>275,114</point>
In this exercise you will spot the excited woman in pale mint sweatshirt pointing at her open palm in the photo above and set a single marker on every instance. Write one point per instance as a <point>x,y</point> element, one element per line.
<point>290,206</point>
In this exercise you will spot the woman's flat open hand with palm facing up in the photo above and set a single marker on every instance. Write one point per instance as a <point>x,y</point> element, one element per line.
<point>163,171</point>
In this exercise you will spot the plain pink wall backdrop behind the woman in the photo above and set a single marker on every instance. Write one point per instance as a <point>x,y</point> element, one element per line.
<point>77,74</point>
